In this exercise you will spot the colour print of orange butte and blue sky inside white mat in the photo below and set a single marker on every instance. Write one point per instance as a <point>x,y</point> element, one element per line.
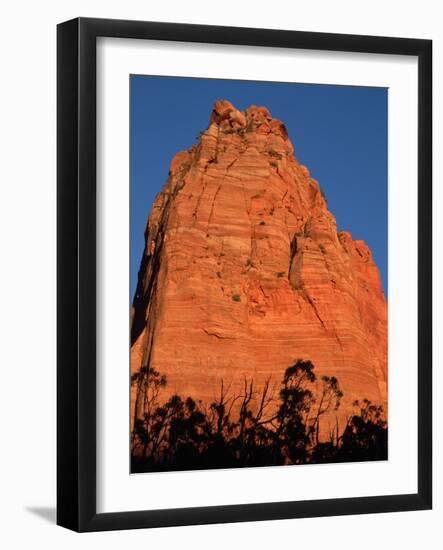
<point>258,271</point>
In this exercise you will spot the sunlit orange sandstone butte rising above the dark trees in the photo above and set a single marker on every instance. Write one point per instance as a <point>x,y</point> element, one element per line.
<point>244,272</point>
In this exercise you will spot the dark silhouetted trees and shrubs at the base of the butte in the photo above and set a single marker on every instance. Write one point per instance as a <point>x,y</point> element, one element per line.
<point>254,427</point>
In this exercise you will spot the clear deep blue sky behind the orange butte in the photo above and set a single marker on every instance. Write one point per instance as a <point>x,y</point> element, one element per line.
<point>338,132</point>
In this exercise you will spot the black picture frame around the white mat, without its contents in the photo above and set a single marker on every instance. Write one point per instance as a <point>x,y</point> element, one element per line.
<point>76,280</point>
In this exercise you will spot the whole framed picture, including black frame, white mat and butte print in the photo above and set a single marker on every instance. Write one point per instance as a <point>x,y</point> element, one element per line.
<point>244,274</point>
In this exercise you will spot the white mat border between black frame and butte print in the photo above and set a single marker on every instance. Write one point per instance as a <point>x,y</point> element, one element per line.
<point>117,490</point>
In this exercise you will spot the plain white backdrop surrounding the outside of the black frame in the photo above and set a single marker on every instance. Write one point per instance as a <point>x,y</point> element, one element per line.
<point>27,229</point>
